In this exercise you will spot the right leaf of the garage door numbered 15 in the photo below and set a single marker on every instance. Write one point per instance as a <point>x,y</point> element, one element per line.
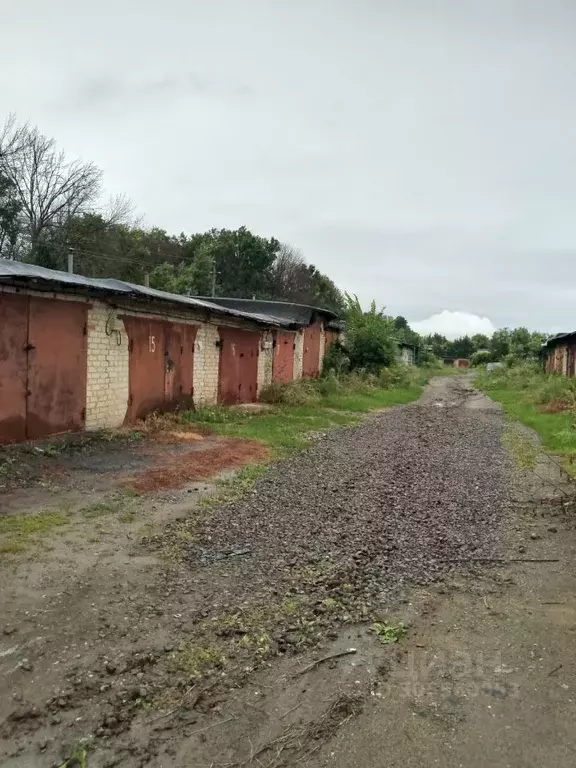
<point>179,364</point>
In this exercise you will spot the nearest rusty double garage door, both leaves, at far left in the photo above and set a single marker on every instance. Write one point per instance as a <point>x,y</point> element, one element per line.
<point>42,367</point>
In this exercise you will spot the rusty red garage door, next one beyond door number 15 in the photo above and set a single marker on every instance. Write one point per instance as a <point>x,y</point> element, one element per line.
<point>238,376</point>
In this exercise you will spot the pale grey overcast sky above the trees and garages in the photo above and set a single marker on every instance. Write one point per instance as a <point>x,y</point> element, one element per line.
<point>421,152</point>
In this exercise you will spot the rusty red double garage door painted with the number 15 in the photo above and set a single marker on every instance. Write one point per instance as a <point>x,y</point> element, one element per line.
<point>161,365</point>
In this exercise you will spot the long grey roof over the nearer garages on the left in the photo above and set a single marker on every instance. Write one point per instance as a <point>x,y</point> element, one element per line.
<point>17,272</point>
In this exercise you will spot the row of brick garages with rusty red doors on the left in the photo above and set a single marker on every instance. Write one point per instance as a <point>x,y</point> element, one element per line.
<point>77,353</point>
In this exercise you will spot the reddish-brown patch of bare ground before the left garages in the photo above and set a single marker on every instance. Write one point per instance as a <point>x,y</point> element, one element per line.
<point>175,469</point>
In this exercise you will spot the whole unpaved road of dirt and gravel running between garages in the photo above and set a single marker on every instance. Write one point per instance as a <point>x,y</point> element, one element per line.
<point>428,552</point>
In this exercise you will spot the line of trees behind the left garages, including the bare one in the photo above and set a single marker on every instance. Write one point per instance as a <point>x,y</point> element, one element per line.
<point>52,207</point>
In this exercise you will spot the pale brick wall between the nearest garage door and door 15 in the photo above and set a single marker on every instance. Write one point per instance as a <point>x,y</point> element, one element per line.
<point>108,363</point>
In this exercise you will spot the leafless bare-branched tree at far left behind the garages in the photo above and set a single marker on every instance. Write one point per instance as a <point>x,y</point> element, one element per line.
<point>49,188</point>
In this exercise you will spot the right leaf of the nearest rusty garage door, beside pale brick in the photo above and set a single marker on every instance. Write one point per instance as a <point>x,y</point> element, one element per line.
<point>56,367</point>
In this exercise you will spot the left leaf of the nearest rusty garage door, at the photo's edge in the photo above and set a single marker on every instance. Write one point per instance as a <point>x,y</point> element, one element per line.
<point>13,367</point>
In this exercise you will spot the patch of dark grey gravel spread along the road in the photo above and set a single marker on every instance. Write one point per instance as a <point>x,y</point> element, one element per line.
<point>394,501</point>
